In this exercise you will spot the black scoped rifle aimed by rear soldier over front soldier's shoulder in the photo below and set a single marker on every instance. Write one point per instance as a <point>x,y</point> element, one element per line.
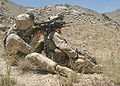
<point>56,22</point>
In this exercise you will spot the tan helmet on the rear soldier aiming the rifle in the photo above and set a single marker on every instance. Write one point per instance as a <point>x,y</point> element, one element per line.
<point>24,21</point>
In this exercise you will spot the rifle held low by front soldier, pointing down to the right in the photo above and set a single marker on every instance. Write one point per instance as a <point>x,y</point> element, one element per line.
<point>88,57</point>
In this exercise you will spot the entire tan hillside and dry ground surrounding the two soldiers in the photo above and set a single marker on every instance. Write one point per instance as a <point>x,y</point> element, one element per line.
<point>87,30</point>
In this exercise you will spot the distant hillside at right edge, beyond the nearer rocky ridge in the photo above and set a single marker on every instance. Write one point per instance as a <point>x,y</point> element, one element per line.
<point>115,15</point>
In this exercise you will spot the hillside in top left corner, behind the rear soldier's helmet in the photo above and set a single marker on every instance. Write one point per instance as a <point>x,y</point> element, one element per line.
<point>8,11</point>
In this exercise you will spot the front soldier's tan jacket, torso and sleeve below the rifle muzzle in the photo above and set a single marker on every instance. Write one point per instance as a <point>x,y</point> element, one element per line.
<point>58,48</point>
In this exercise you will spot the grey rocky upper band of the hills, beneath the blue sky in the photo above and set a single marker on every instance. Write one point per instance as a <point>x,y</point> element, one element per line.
<point>8,11</point>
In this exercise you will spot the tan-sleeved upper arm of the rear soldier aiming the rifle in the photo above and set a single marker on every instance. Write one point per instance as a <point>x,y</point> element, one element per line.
<point>14,44</point>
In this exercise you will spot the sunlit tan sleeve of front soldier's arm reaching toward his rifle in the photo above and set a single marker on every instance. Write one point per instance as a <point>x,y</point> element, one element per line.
<point>63,45</point>
